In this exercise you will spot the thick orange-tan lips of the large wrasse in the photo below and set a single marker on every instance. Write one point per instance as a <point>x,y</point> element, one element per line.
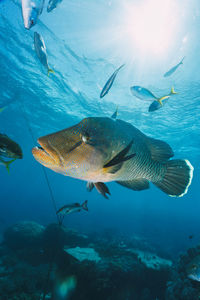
<point>44,153</point>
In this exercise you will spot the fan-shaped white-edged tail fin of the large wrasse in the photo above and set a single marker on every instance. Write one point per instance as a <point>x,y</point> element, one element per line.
<point>177,179</point>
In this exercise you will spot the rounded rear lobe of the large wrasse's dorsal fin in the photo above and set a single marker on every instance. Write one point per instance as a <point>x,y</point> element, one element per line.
<point>160,151</point>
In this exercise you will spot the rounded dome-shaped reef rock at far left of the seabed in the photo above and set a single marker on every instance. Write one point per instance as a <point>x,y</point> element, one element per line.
<point>23,234</point>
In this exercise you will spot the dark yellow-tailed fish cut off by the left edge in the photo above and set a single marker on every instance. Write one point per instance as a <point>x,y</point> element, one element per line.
<point>9,149</point>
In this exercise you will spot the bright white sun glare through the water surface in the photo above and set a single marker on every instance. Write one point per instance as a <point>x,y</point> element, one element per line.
<point>151,25</point>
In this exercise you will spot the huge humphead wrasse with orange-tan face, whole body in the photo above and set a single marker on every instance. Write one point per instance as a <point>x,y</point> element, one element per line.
<point>100,150</point>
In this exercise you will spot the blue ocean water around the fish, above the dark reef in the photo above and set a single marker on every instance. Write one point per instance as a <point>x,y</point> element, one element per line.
<point>86,42</point>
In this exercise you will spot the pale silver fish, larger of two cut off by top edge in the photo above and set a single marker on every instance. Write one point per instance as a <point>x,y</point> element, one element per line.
<point>31,9</point>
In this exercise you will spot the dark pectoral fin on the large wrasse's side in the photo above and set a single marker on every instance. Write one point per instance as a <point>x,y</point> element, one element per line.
<point>116,162</point>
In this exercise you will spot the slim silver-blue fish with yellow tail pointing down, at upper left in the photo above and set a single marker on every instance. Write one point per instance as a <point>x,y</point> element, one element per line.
<point>40,50</point>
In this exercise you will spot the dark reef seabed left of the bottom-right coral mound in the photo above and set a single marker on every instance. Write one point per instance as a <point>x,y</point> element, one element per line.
<point>103,267</point>
